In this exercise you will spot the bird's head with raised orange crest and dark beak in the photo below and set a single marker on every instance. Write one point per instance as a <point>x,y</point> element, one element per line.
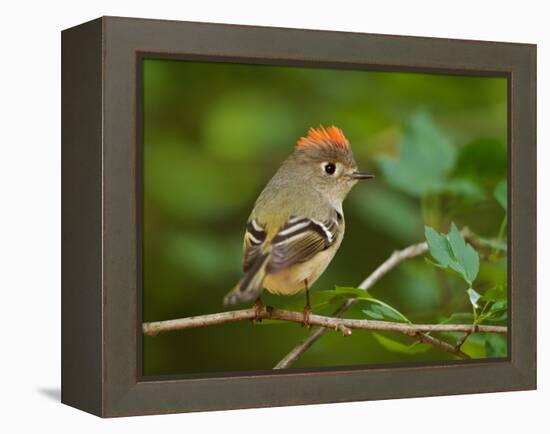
<point>324,158</point>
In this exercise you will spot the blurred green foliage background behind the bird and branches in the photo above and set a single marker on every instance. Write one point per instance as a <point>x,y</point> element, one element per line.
<point>214,133</point>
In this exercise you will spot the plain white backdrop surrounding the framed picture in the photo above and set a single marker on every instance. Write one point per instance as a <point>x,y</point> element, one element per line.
<point>30,213</point>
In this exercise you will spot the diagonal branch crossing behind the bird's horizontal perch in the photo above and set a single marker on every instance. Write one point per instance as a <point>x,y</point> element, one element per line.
<point>395,259</point>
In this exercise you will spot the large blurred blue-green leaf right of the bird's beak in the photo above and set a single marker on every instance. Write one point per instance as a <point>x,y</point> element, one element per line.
<point>425,158</point>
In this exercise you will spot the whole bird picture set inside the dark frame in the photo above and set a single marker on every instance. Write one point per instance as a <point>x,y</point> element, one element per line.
<point>297,217</point>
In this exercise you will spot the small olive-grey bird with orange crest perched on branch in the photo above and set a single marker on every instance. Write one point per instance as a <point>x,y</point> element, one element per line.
<point>297,223</point>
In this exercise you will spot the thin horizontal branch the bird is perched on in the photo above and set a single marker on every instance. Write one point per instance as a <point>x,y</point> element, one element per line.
<point>341,324</point>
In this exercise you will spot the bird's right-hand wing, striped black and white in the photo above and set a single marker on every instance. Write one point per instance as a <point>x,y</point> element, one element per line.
<point>299,240</point>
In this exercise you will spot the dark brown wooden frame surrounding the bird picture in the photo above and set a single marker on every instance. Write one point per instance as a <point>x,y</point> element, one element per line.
<point>101,321</point>
